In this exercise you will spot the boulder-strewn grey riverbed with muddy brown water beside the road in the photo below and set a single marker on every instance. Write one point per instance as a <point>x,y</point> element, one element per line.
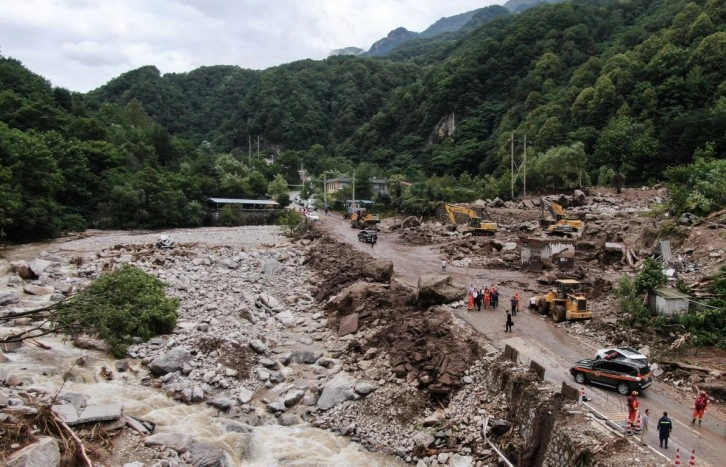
<point>274,335</point>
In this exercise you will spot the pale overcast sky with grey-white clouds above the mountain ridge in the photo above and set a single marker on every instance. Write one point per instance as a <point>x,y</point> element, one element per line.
<point>82,44</point>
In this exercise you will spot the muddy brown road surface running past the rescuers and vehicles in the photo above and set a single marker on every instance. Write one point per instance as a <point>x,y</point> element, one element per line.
<point>538,338</point>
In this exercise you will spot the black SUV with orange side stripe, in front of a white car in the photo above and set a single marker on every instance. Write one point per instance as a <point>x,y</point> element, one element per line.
<point>622,374</point>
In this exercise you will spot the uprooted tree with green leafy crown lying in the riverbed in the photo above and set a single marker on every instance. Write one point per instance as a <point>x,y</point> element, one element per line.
<point>118,307</point>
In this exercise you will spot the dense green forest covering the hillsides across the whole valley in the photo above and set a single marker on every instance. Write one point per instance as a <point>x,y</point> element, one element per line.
<point>599,91</point>
